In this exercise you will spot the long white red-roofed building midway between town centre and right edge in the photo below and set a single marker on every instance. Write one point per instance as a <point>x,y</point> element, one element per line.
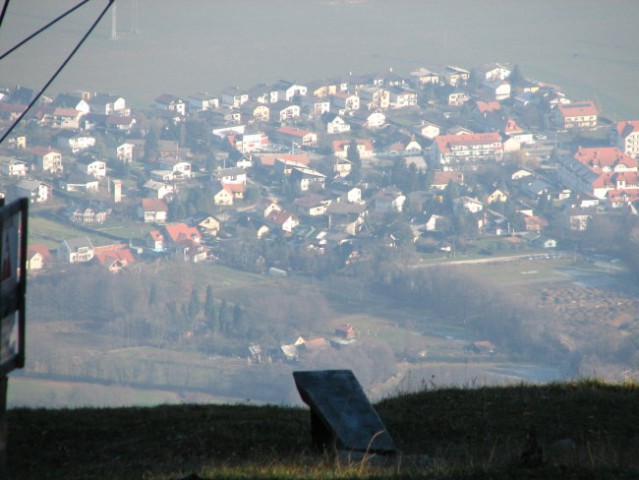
<point>454,149</point>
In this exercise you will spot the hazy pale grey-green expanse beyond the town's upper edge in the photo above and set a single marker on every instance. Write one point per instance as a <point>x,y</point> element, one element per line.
<point>587,47</point>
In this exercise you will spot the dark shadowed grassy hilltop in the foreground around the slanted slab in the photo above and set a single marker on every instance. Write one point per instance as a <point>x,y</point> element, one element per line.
<point>582,430</point>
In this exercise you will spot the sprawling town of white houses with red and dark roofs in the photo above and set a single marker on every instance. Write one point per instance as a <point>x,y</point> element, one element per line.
<point>305,178</point>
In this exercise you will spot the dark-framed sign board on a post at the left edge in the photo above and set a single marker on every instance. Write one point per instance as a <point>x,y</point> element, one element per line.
<point>13,262</point>
